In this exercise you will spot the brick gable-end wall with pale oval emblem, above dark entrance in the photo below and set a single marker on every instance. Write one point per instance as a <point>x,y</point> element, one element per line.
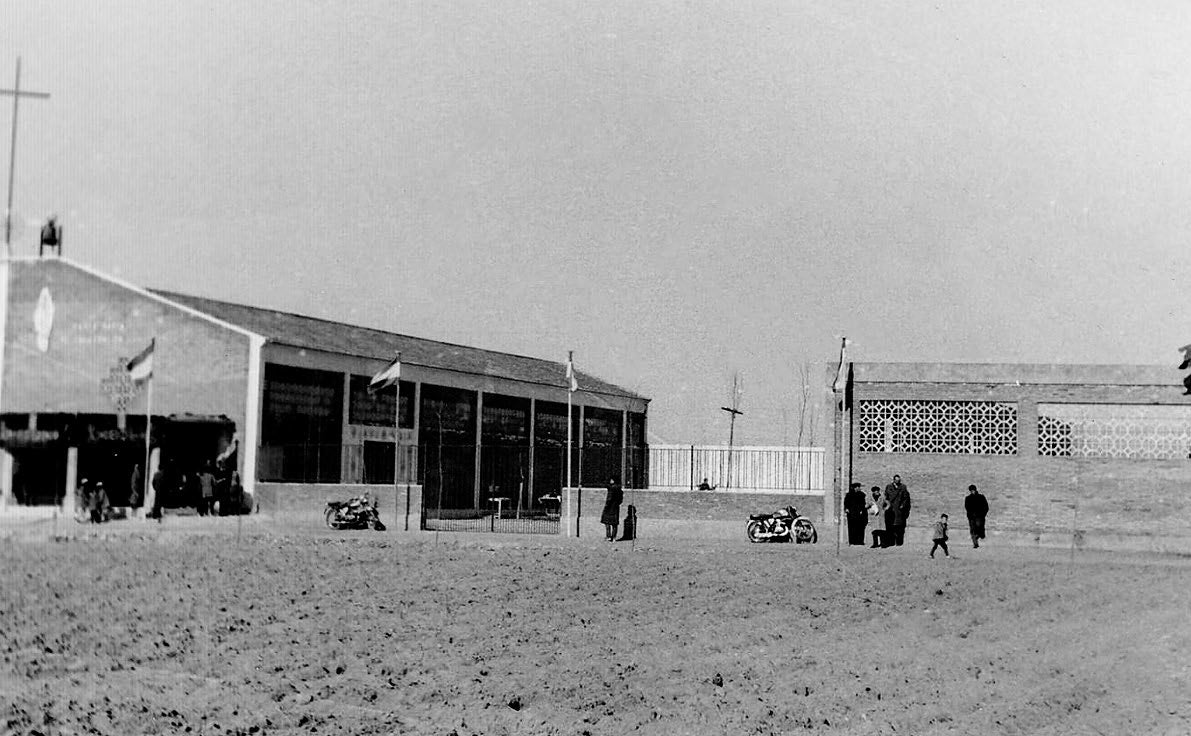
<point>199,367</point>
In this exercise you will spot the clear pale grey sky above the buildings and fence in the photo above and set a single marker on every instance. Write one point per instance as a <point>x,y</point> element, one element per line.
<point>679,192</point>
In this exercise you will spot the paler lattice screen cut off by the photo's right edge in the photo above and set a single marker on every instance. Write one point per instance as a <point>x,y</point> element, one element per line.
<point>1114,431</point>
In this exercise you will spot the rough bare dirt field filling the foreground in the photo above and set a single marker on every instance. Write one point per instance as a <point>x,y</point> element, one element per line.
<point>155,631</point>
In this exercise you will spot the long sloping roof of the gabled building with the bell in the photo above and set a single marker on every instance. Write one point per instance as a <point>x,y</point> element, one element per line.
<point>315,334</point>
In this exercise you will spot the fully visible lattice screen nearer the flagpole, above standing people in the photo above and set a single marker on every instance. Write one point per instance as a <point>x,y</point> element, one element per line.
<point>963,428</point>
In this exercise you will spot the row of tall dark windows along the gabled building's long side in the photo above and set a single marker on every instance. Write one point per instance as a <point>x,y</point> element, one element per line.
<point>304,439</point>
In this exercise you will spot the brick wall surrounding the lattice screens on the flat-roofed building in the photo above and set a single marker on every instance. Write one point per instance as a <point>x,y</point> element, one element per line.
<point>1028,494</point>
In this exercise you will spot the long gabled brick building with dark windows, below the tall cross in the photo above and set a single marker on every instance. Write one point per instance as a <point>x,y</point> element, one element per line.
<point>289,391</point>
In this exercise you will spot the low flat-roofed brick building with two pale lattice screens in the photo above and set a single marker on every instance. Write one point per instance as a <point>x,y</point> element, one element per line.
<point>1103,450</point>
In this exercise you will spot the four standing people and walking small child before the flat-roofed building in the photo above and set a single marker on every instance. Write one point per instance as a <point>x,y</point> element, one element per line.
<point>888,512</point>
